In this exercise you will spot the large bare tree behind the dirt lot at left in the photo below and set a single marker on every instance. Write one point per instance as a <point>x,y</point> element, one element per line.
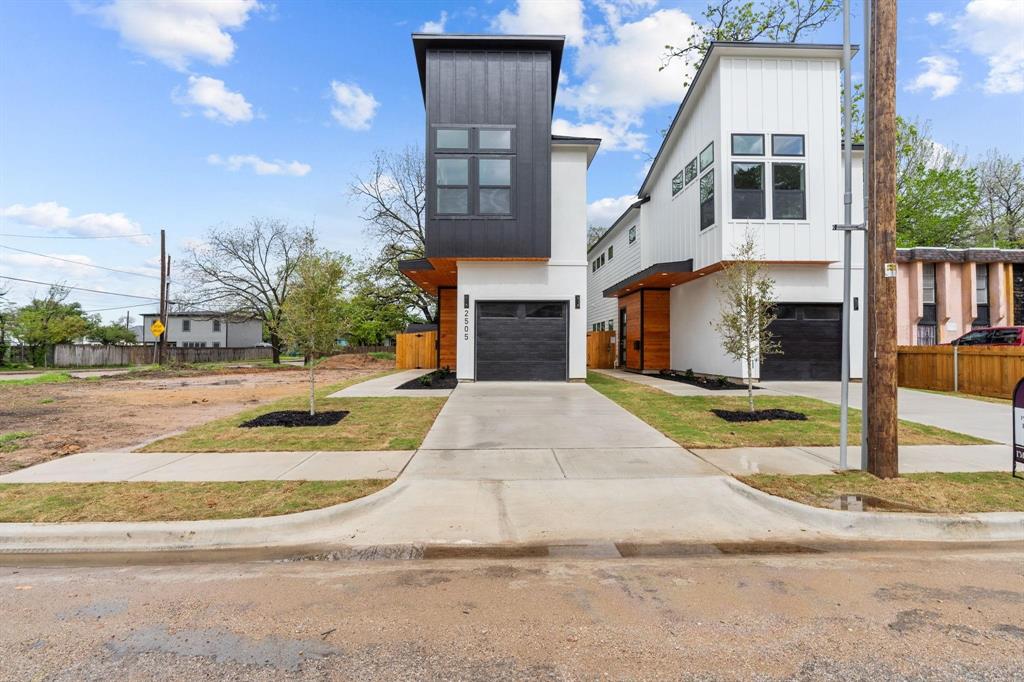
<point>246,271</point>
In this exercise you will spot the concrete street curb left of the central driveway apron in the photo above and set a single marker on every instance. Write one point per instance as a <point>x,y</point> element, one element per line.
<point>303,529</point>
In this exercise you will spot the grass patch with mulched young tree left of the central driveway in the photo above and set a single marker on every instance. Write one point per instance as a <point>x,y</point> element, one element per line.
<point>373,423</point>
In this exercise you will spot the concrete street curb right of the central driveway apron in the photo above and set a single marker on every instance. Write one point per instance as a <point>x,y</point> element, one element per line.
<point>990,527</point>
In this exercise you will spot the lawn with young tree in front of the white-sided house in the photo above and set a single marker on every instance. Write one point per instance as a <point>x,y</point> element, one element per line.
<point>690,422</point>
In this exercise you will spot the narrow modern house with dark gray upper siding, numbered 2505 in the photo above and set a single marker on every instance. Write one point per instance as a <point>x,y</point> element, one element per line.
<point>506,209</point>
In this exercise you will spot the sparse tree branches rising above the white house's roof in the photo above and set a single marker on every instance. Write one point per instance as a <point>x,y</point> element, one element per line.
<point>776,21</point>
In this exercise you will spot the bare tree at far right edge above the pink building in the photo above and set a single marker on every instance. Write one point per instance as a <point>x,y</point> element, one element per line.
<point>1001,182</point>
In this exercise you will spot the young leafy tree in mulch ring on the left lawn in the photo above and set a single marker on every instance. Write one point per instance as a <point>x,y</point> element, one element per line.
<point>314,314</point>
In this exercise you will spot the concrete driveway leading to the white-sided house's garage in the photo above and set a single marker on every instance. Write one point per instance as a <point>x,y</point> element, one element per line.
<point>977,418</point>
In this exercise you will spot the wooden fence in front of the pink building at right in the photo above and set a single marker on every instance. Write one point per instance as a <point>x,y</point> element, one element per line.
<point>992,371</point>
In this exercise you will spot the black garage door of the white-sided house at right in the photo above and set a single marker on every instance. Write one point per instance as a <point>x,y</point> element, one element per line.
<point>812,339</point>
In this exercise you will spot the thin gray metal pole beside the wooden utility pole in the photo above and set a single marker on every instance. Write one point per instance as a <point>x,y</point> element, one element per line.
<point>844,418</point>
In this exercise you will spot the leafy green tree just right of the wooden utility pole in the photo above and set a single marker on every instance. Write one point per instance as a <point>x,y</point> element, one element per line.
<point>936,195</point>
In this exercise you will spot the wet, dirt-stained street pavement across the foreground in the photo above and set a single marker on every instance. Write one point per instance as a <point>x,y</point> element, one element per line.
<point>932,615</point>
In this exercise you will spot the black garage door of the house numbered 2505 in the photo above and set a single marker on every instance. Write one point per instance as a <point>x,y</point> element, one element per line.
<point>522,342</point>
